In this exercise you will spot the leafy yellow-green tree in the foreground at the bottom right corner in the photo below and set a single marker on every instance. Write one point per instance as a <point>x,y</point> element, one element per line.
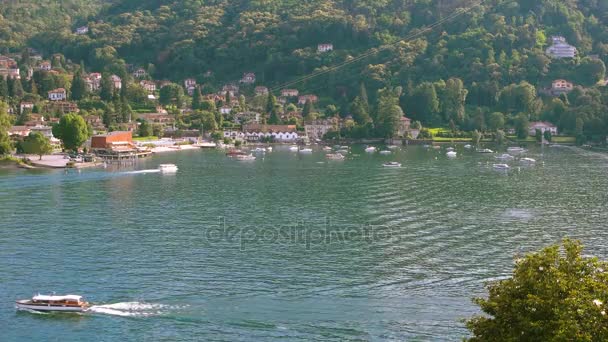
<point>554,295</point>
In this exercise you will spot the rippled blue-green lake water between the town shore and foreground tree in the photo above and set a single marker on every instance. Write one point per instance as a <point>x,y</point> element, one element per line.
<point>288,247</point>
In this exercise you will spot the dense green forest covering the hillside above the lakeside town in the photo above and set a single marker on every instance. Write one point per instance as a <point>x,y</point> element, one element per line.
<point>489,60</point>
